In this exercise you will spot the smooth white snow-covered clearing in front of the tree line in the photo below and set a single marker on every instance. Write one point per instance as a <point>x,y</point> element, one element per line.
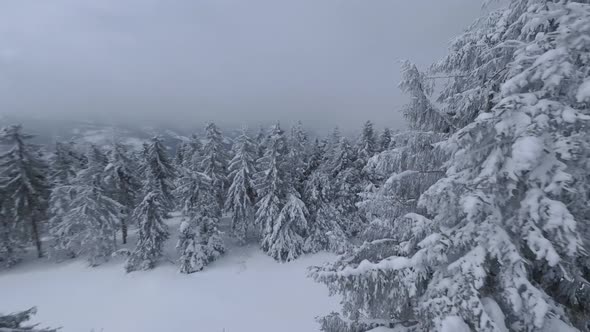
<point>244,291</point>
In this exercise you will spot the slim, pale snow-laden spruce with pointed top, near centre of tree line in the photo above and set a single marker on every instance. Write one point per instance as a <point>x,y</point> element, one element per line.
<point>241,196</point>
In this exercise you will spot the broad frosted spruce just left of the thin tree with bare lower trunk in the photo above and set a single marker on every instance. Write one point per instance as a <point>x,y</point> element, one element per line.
<point>89,225</point>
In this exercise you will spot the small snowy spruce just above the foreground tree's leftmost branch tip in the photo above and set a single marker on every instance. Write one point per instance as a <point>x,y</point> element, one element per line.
<point>324,221</point>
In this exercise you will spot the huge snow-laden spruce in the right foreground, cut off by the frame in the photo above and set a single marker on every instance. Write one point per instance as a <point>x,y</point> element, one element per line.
<point>502,251</point>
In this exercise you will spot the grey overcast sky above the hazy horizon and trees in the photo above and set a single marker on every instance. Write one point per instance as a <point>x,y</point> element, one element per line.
<point>326,62</point>
